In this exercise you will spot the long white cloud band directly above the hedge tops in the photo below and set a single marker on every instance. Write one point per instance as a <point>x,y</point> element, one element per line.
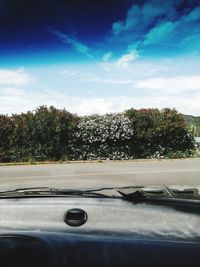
<point>15,100</point>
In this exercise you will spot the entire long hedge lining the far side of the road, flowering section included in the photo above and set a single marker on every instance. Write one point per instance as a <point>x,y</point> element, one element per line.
<point>56,134</point>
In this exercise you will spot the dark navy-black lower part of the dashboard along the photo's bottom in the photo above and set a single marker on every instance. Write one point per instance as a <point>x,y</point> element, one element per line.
<point>63,250</point>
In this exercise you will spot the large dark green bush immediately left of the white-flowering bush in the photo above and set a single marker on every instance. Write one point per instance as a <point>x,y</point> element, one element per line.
<point>41,135</point>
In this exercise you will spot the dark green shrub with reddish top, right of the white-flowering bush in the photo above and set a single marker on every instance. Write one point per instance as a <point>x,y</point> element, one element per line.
<point>157,131</point>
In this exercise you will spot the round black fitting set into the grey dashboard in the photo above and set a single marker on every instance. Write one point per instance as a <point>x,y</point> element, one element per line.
<point>75,217</point>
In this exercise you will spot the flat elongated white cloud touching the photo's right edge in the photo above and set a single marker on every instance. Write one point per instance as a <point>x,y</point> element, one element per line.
<point>171,84</point>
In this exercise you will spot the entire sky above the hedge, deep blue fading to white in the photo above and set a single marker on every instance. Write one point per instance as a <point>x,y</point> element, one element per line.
<point>99,56</point>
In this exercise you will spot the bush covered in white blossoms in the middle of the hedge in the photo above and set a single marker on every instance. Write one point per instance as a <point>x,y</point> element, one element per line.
<point>103,137</point>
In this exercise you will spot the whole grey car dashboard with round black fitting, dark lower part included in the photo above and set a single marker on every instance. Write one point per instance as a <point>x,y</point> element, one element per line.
<point>112,232</point>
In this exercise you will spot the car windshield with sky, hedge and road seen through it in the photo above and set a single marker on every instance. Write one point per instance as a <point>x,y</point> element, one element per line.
<point>100,94</point>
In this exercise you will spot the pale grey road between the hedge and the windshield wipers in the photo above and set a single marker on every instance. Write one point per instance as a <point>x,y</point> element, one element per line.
<point>76,175</point>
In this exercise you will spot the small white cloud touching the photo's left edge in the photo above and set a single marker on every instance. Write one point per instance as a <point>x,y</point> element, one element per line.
<point>17,77</point>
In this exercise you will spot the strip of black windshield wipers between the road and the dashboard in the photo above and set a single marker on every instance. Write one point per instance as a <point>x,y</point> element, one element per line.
<point>130,193</point>
